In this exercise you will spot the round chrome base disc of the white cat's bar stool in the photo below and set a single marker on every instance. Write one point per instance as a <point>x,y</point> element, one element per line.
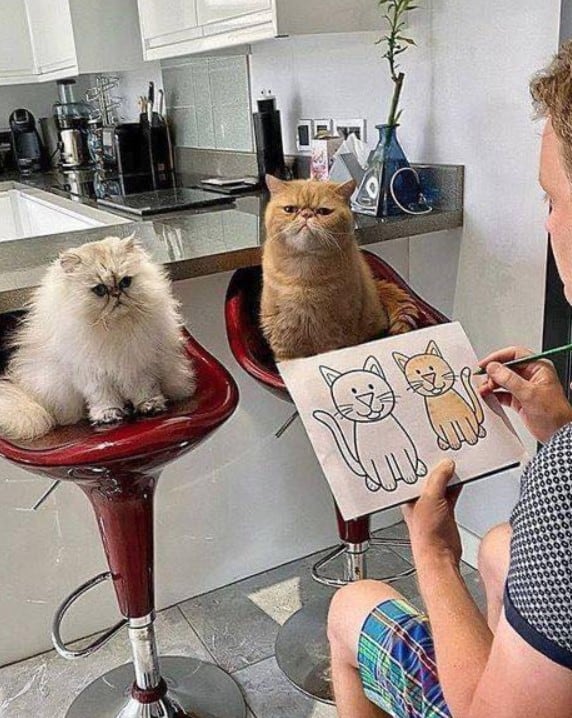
<point>195,689</point>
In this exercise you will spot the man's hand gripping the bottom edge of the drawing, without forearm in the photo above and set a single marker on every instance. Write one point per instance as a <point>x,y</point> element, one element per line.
<point>431,521</point>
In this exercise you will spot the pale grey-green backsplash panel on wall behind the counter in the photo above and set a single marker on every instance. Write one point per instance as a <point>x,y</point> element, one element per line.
<point>208,100</point>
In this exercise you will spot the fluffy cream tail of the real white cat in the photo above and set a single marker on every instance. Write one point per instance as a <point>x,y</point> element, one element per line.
<point>21,417</point>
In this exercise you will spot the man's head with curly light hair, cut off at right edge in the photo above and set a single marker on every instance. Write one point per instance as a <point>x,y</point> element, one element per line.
<point>552,94</point>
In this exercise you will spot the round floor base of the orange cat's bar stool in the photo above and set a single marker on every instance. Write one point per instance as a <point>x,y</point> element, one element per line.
<point>303,651</point>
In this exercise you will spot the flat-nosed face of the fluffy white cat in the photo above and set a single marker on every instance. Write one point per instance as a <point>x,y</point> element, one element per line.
<point>107,278</point>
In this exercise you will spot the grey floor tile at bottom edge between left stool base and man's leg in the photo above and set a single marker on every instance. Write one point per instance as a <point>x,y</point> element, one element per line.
<point>270,695</point>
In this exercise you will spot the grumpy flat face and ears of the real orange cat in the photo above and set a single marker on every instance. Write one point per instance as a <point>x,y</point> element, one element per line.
<point>308,215</point>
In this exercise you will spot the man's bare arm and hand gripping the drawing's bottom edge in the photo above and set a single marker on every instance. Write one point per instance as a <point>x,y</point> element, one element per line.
<point>481,677</point>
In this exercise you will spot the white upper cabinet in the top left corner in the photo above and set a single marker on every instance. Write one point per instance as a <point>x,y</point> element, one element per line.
<point>50,39</point>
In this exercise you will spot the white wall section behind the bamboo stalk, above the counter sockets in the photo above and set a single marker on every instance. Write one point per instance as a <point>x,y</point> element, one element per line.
<point>344,76</point>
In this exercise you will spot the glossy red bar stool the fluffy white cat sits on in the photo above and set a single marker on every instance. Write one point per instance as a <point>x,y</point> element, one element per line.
<point>118,468</point>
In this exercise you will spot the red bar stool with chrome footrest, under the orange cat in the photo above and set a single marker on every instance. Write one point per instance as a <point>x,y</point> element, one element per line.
<point>302,649</point>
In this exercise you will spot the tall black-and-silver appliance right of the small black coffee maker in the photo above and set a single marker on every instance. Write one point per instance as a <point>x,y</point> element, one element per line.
<point>73,120</point>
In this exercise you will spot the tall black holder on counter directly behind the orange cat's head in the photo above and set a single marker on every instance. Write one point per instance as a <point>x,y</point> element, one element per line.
<point>268,135</point>
